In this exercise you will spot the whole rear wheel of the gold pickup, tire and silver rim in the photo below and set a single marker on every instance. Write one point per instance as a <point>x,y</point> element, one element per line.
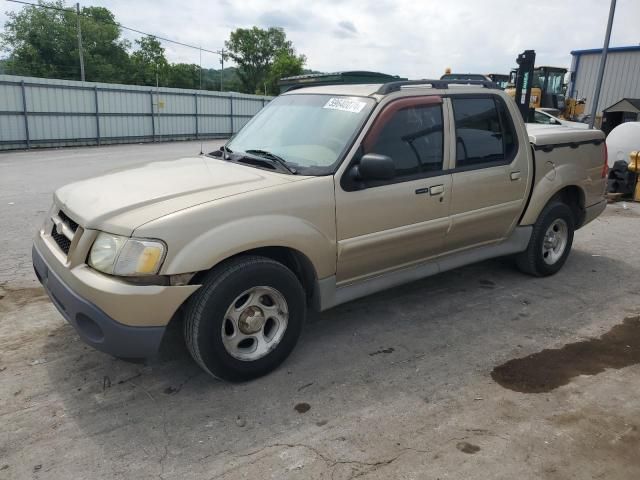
<point>550,241</point>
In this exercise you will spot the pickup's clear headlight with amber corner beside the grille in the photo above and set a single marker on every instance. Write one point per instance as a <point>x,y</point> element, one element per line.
<point>125,256</point>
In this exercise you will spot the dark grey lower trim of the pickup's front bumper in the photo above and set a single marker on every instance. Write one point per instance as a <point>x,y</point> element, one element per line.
<point>94,326</point>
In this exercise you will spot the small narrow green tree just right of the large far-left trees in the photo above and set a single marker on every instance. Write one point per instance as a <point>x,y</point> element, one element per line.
<point>148,63</point>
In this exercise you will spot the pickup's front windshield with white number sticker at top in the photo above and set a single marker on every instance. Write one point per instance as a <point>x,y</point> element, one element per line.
<point>309,132</point>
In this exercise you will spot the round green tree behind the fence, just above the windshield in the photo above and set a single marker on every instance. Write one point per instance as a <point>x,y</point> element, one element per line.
<point>256,51</point>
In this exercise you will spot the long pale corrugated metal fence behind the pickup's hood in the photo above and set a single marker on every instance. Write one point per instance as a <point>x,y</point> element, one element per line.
<point>38,112</point>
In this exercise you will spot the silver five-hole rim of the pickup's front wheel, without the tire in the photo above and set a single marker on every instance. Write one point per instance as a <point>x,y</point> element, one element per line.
<point>255,323</point>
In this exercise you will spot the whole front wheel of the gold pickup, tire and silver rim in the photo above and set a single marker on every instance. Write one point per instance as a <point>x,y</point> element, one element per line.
<point>246,318</point>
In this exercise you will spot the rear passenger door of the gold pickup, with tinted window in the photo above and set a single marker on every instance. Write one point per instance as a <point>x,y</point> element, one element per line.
<point>490,172</point>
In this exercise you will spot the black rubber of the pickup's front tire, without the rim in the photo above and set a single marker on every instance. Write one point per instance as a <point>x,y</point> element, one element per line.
<point>206,310</point>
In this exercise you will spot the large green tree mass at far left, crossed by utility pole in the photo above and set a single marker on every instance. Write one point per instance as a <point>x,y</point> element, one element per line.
<point>43,42</point>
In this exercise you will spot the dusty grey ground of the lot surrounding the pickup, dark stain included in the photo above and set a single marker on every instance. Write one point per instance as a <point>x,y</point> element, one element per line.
<point>479,373</point>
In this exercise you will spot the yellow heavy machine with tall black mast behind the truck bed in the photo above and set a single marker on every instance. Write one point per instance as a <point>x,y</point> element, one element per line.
<point>547,89</point>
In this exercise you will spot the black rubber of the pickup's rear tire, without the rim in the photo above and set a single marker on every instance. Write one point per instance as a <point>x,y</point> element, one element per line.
<point>532,260</point>
